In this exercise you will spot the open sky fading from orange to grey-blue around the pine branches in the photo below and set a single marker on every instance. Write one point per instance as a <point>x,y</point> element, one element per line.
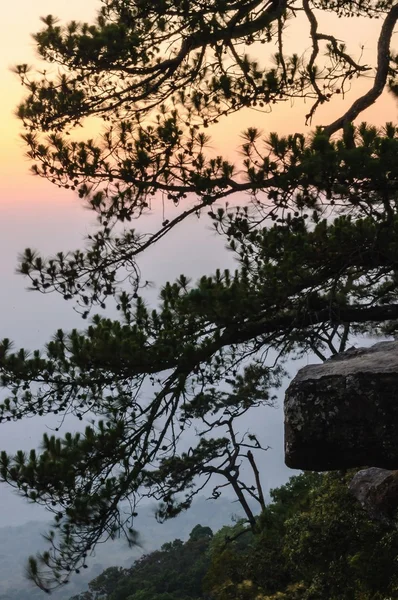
<point>35,214</point>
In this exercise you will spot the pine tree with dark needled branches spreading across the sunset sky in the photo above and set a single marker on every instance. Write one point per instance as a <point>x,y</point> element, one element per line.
<point>312,220</point>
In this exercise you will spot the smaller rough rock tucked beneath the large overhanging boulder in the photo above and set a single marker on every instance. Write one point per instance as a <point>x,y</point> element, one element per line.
<point>377,491</point>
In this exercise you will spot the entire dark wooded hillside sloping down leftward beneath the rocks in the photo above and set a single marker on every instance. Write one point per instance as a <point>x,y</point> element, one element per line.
<point>313,542</point>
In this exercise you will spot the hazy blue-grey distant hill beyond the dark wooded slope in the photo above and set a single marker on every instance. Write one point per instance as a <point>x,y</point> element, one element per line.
<point>17,543</point>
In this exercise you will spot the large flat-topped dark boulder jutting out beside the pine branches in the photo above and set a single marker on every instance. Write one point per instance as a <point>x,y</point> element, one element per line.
<point>344,413</point>
